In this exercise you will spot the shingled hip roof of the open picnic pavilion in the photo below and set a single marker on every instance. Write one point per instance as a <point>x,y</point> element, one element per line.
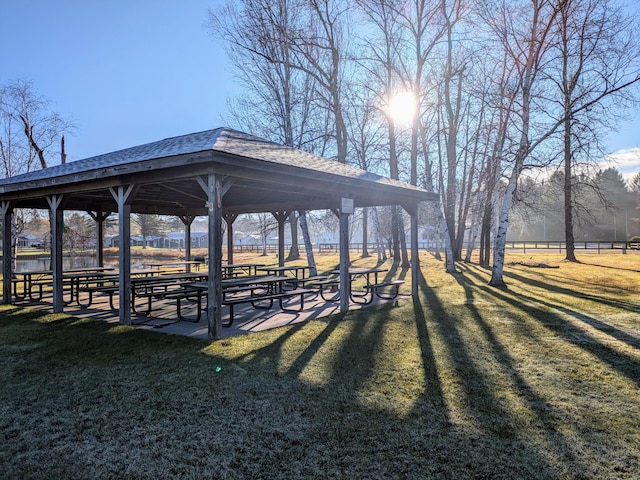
<point>260,176</point>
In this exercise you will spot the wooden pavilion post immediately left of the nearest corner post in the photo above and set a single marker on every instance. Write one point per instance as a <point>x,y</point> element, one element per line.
<point>122,195</point>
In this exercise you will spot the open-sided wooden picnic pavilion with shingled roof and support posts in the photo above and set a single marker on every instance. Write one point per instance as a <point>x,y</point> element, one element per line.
<point>218,173</point>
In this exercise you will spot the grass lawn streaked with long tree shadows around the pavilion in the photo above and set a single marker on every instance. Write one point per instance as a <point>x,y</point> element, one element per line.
<point>540,380</point>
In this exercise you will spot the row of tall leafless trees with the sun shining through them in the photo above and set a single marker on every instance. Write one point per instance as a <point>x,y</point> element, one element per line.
<point>502,89</point>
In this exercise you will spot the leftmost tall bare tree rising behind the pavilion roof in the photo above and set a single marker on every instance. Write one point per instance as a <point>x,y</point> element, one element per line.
<point>257,36</point>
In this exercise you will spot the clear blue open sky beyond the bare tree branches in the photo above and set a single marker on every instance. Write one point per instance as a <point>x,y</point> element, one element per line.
<point>128,72</point>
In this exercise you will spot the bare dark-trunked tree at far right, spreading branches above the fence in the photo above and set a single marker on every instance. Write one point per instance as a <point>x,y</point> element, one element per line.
<point>596,56</point>
